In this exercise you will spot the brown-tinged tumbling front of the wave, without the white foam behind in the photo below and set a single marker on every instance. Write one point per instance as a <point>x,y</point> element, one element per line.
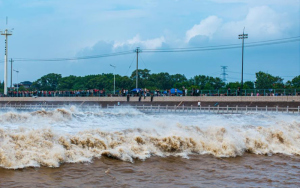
<point>25,147</point>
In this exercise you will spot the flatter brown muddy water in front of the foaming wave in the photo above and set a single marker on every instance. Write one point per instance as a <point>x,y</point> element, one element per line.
<point>250,170</point>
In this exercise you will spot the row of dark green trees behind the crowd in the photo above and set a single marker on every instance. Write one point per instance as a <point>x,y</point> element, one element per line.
<point>161,81</point>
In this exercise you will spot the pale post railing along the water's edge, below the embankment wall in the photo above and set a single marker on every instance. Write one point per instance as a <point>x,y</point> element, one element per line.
<point>162,109</point>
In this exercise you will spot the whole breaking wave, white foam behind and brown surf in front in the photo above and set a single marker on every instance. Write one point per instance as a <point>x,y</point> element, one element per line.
<point>50,138</point>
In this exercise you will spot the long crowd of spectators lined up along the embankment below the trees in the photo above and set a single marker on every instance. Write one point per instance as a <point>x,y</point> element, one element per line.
<point>146,92</point>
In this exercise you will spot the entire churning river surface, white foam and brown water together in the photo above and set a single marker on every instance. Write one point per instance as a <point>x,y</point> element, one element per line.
<point>125,147</point>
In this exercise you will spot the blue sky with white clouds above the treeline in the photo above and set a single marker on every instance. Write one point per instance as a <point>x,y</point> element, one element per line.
<point>47,29</point>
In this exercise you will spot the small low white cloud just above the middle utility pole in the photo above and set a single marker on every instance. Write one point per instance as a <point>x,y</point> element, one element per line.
<point>137,42</point>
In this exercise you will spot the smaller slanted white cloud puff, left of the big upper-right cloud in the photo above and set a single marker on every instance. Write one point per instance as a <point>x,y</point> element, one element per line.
<point>207,27</point>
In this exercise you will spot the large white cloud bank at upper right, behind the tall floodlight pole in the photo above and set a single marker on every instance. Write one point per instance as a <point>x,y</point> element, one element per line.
<point>260,22</point>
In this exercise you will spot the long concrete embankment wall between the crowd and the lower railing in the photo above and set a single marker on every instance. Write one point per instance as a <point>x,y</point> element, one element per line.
<point>260,101</point>
